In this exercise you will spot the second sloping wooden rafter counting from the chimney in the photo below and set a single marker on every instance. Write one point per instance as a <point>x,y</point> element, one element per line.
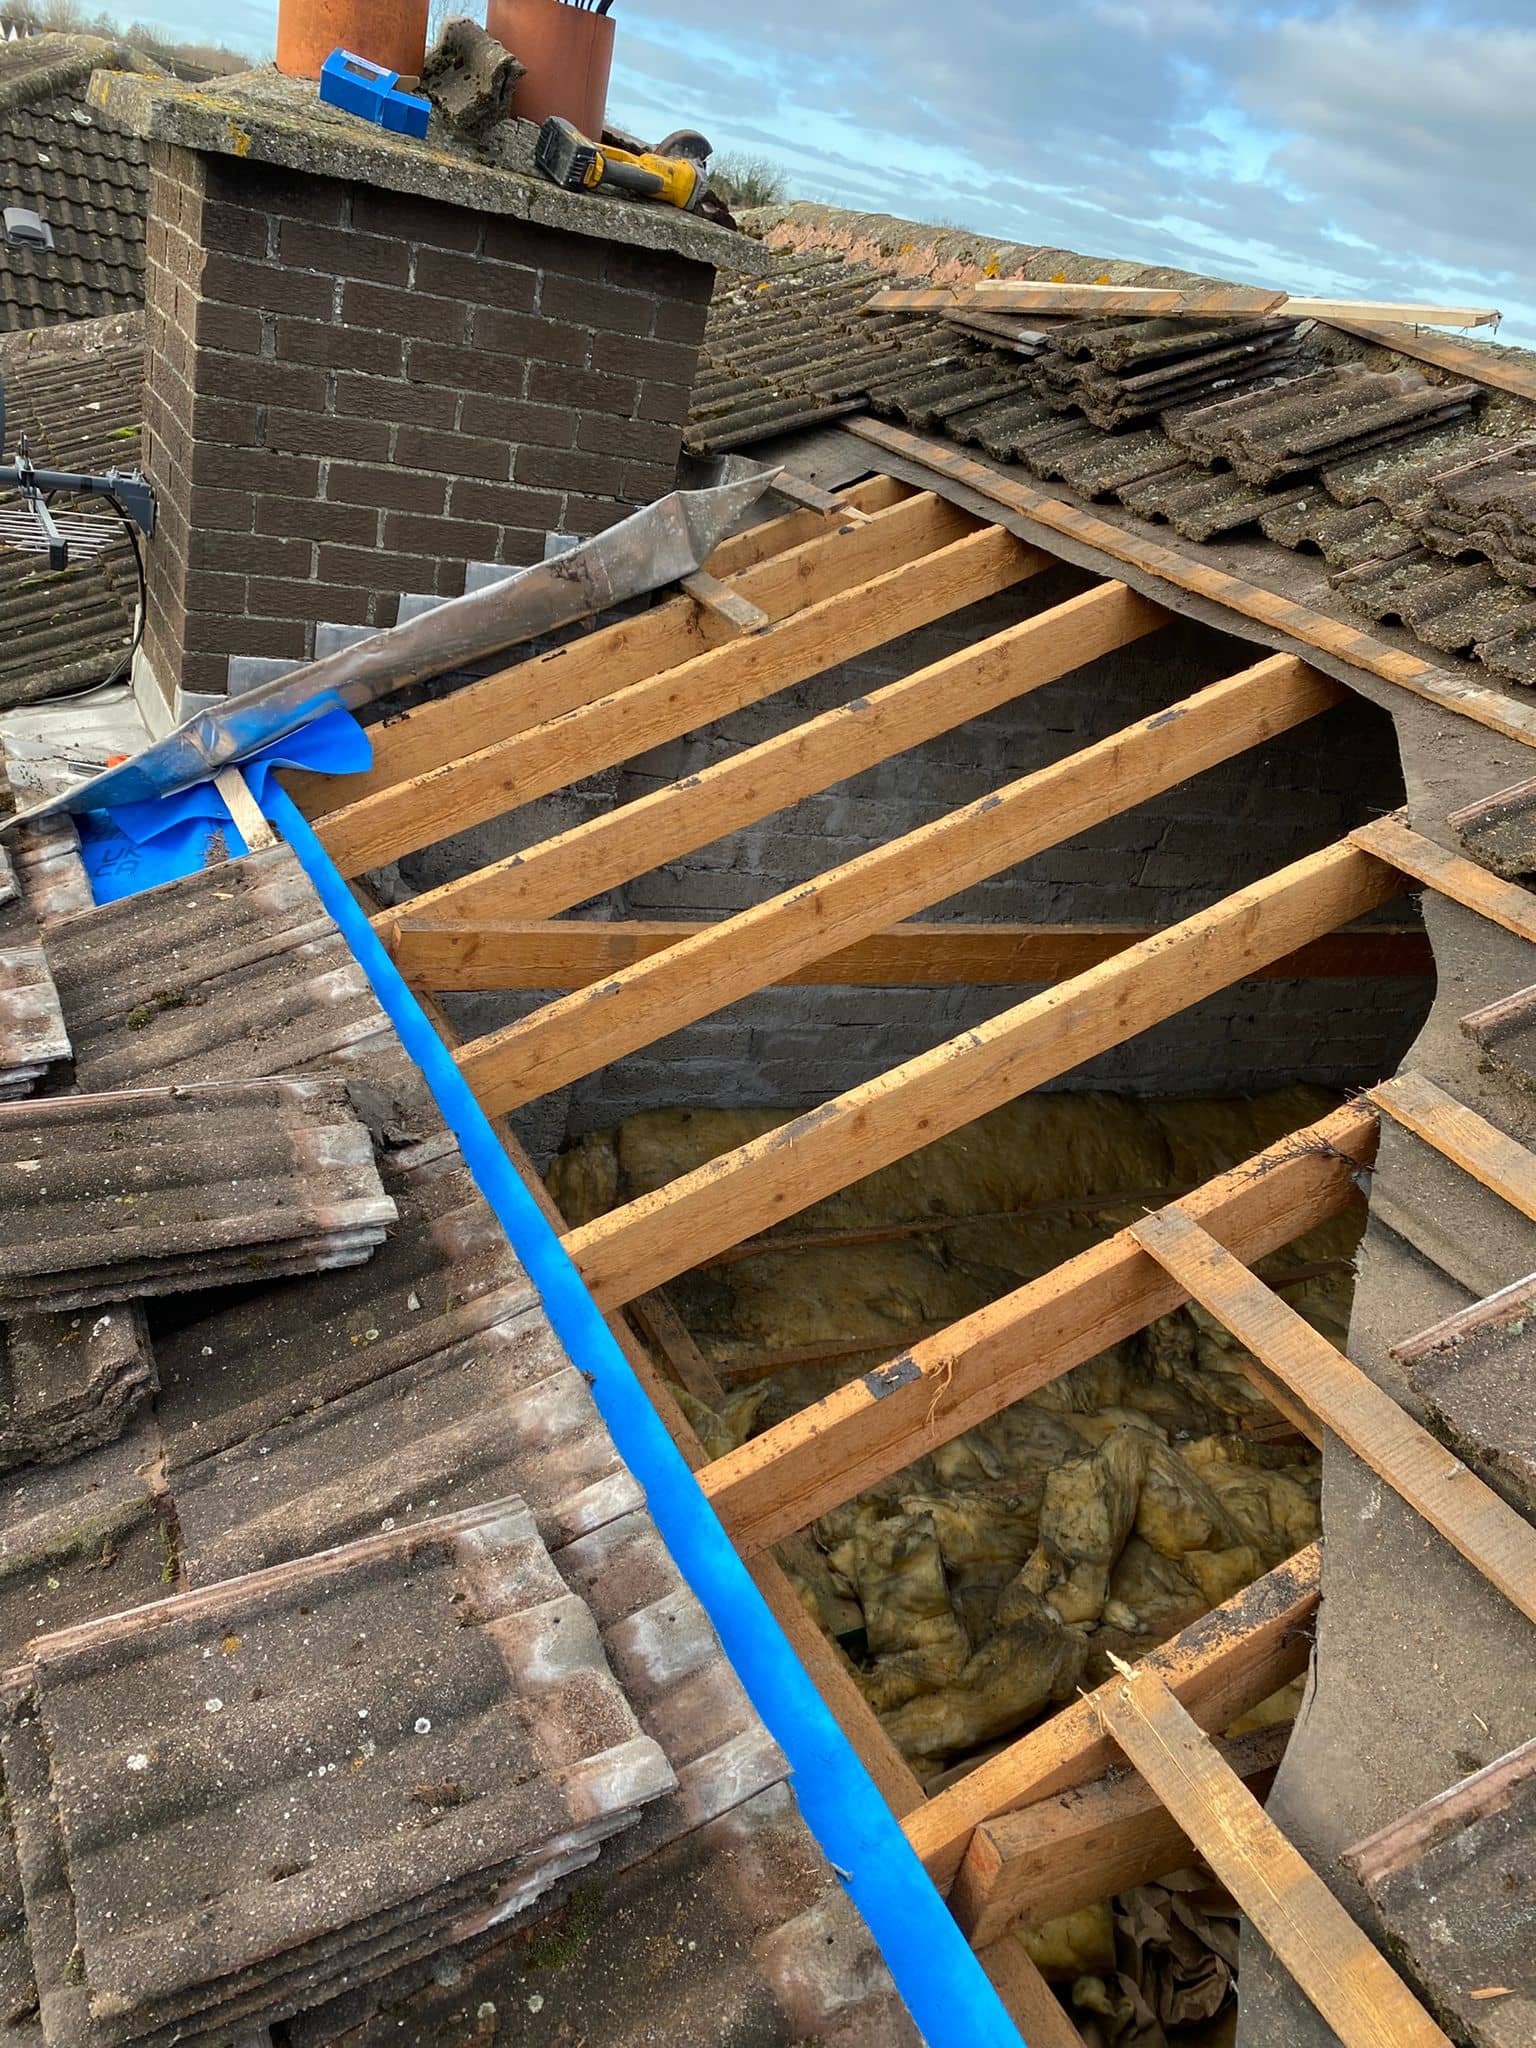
<point>628,722</point>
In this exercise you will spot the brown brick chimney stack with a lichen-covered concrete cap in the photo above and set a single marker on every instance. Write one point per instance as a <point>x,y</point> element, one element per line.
<point>370,364</point>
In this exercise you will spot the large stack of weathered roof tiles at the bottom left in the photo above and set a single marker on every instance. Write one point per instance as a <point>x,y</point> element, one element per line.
<point>251,1793</point>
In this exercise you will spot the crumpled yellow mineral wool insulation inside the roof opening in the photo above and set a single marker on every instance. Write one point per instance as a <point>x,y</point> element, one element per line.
<point>996,1574</point>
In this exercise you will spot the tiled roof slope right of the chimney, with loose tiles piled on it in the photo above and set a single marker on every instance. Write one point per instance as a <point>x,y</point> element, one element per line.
<point>1416,484</point>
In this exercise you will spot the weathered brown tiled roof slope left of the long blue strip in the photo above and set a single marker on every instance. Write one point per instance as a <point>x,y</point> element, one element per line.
<point>351,1633</point>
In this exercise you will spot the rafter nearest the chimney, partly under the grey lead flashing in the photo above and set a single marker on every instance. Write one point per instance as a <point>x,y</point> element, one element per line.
<point>542,687</point>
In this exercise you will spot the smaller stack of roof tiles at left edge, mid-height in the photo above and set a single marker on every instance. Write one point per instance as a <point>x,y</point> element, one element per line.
<point>163,1191</point>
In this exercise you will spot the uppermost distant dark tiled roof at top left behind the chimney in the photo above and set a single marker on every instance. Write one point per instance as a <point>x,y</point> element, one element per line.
<point>87,181</point>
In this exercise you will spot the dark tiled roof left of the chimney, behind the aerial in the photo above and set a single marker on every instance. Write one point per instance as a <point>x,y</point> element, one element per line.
<point>77,394</point>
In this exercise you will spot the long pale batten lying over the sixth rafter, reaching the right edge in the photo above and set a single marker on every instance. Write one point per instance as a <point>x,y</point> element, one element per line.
<point>1453,1500</point>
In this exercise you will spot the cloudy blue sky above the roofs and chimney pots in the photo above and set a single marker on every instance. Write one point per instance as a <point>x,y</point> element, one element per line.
<point>1365,148</point>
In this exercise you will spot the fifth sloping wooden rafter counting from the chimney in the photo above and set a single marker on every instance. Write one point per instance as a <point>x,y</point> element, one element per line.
<point>787,1170</point>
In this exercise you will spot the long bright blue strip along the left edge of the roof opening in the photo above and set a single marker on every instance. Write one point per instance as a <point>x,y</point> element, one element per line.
<point>935,1971</point>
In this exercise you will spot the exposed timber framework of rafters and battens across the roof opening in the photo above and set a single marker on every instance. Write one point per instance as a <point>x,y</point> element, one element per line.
<point>828,593</point>
